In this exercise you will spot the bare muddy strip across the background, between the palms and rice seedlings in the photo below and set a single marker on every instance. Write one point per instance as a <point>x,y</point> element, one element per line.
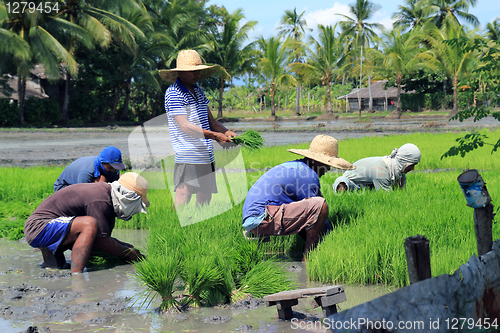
<point>61,146</point>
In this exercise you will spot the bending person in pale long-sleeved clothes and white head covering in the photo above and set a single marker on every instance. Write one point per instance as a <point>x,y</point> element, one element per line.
<point>380,172</point>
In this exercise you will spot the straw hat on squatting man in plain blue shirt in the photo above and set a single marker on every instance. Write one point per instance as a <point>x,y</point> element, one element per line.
<point>324,149</point>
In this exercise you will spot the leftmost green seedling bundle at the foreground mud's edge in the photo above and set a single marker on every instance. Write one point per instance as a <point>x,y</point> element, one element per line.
<point>158,275</point>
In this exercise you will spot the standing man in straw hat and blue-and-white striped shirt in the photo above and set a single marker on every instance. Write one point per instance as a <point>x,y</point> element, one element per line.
<point>192,127</point>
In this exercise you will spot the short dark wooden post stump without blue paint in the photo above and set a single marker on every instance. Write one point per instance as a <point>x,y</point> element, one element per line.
<point>418,258</point>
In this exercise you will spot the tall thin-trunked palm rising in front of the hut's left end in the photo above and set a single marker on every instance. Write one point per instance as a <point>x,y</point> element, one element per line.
<point>359,31</point>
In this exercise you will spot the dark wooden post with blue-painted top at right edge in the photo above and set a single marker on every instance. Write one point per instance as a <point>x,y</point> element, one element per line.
<point>477,196</point>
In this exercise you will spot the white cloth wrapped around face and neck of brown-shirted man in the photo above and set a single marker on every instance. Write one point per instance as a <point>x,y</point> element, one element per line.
<point>126,203</point>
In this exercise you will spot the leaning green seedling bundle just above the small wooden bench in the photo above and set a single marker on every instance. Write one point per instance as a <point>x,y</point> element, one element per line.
<point>263,279</point>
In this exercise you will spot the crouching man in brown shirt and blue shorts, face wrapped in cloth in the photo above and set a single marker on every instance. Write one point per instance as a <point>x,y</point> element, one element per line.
<point>82,216</point>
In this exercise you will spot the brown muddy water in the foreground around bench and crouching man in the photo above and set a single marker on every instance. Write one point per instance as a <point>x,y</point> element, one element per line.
<point>108,300</point>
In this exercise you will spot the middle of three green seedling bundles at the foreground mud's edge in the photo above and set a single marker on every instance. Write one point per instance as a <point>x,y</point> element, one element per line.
<point>200,274</point>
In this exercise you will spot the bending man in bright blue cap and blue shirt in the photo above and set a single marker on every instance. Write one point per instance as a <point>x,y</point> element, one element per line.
<point>90,169</point>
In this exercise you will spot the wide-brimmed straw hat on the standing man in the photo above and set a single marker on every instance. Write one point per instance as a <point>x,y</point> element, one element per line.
<point>188,60</point>
